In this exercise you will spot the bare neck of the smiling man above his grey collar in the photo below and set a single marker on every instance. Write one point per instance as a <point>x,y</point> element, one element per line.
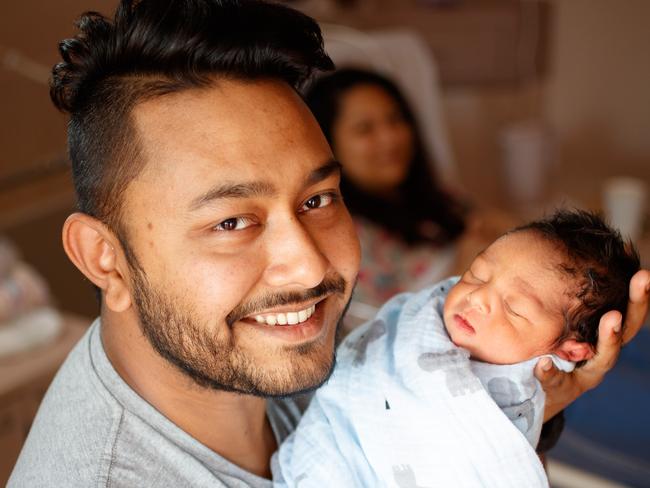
<point>233,425</point>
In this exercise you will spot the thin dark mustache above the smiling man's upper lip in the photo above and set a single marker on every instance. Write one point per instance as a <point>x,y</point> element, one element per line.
<point>329,285</point>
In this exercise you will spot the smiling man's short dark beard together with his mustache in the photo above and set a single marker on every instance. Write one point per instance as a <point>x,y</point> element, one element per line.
<point>215,361</point>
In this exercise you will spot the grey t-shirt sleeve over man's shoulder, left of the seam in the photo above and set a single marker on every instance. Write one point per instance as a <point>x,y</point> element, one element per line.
<point>73,428</point>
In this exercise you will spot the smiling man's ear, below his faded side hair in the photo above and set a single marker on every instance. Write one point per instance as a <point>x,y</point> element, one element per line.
<point>93,248</point>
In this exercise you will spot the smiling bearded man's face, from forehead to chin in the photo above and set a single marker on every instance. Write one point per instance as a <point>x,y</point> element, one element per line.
<point>246,255</point>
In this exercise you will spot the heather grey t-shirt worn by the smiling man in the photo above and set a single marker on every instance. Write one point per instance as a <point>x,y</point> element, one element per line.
<point>92,429</point>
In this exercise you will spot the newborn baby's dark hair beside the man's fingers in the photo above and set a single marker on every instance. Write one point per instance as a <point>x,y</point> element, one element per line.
<point>597,260</point>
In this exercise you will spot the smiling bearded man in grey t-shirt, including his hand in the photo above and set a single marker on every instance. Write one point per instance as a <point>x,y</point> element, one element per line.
<point>212,225</point>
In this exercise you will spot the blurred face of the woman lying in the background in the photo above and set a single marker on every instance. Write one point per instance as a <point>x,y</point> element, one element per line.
<point>372,140</point>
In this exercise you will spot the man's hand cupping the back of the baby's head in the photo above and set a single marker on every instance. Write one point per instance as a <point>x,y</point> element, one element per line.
<point>563,388</point>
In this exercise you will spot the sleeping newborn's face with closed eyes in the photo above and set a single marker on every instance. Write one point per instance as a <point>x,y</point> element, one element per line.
<point>507,307</point>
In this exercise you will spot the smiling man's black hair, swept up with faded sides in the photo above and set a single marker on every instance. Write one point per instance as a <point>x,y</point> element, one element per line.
<point>156,47</point>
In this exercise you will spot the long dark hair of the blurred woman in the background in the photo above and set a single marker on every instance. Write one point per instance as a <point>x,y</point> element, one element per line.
<point>421,211</point>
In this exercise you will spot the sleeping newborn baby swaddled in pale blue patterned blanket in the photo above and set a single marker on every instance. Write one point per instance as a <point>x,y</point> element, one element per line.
<point>439,389</point>
